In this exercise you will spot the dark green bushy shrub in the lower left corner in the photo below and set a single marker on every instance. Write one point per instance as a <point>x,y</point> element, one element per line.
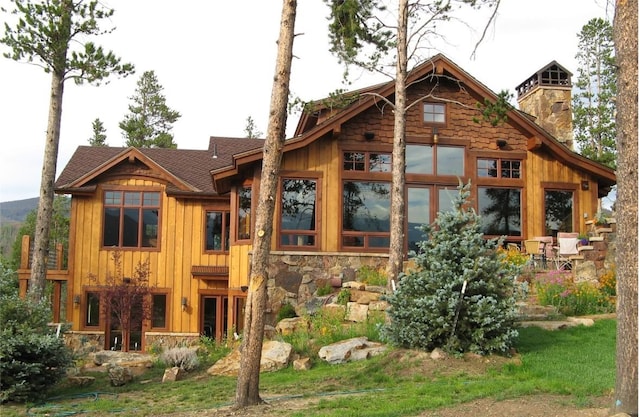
<point>32,359</point>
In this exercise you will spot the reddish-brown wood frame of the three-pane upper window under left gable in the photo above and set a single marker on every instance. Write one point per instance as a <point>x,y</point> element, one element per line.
<point>142,190</point>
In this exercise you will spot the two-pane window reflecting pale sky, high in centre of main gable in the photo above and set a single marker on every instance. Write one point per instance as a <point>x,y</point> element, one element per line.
<point>441,159</point>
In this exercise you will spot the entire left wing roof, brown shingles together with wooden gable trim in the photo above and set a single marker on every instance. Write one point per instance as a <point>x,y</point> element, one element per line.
<point>184,170</point>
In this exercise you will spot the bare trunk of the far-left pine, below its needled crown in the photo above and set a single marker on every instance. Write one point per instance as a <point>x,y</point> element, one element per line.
<point>45,204</point>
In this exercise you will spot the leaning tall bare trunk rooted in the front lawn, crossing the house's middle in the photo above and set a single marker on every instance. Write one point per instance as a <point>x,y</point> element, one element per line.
<point>247,390</point>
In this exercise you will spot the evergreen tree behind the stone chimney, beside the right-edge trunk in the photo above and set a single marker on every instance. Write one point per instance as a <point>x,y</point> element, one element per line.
<point>593,104</point>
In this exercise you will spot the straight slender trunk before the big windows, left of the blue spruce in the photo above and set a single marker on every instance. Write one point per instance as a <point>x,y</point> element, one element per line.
<point>397,232</point>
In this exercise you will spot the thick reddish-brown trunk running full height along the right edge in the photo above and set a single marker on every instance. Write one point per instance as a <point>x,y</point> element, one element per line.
<point>625,33</point>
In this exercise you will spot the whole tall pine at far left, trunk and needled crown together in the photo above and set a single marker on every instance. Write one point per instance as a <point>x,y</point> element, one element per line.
<point>55,35</point>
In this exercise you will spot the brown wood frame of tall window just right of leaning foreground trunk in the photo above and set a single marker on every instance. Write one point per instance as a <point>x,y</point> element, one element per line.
<point>317,232</point>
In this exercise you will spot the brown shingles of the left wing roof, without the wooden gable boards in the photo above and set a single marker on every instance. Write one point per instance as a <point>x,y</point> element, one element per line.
<point>188,166</point>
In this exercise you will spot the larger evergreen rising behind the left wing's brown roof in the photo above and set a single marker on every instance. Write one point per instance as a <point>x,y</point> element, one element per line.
<point>150,120</point>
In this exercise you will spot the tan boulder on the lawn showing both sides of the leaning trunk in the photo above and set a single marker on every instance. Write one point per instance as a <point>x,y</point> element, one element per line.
<point>275,356</point>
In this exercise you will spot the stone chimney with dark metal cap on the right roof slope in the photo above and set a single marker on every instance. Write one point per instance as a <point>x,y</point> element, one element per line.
<point>546,95</point>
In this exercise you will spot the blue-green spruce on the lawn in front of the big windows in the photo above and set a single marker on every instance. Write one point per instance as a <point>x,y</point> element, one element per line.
<point>462,297</point>
